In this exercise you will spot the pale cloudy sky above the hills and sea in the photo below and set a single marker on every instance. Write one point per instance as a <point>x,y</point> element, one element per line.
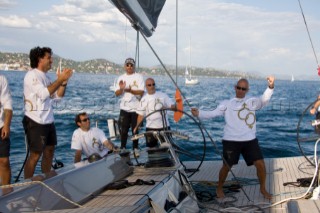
<point>256,36</point>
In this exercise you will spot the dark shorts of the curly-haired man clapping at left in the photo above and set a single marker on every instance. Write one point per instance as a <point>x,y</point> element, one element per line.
<point>39,135</point>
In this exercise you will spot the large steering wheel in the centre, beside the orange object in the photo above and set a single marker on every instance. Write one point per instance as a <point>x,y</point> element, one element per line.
<point>186,138</point>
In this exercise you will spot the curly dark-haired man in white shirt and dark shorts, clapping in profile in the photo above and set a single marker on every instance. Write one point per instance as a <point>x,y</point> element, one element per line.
<point>39,95</point>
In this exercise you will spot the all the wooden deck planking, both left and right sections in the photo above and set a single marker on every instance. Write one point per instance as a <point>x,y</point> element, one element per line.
<point>279,171</point>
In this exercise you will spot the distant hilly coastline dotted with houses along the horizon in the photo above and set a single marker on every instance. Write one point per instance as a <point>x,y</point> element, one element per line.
<point>20,61</point>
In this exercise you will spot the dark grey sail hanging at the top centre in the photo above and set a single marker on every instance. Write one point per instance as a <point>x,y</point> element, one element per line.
<point>143,14</point>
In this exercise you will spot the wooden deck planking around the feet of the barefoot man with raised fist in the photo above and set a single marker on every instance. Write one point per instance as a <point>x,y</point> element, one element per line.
<point>279,171</point>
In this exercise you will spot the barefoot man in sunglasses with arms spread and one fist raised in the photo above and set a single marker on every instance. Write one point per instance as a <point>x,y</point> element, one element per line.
<point>240,131</point>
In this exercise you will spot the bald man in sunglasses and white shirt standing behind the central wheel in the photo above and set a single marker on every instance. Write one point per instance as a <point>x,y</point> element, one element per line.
<point>150,102</point>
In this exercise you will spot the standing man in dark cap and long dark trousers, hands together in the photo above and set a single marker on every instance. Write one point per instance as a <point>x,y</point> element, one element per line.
<point>131,87</point>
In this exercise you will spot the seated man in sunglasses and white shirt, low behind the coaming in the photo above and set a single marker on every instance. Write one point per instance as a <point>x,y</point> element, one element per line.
<point>89,140</point>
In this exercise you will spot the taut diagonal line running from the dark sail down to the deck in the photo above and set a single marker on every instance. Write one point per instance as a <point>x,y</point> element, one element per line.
<point>200,123</point>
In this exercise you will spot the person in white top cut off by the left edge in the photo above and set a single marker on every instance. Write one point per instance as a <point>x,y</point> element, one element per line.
<point>5,121</point>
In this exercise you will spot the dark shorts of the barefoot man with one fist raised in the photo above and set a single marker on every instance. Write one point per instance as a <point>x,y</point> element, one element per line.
<point>250,151</point>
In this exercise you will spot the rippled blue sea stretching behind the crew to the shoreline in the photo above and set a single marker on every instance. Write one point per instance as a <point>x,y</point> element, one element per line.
<point>276,123</point>
